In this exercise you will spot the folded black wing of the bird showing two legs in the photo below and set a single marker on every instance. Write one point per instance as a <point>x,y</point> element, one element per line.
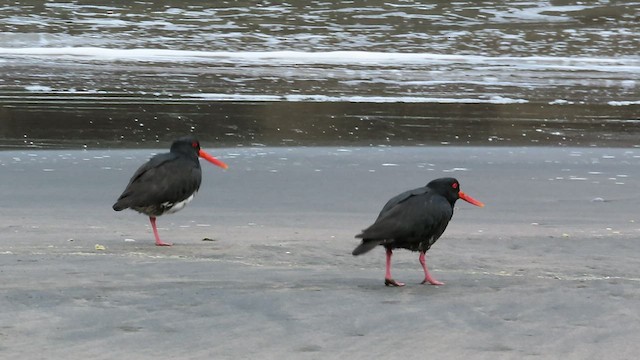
<point>411,217</point>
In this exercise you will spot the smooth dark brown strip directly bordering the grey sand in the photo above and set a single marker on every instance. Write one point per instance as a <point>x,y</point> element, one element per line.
<point>106,124</point>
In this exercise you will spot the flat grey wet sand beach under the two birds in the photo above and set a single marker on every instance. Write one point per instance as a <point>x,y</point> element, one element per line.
<point>261,266</point>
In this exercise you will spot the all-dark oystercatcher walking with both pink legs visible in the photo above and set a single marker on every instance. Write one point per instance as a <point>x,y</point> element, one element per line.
<point>414,220</point>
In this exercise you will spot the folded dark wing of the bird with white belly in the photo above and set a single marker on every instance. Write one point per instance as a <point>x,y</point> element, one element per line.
<point>155,182</point>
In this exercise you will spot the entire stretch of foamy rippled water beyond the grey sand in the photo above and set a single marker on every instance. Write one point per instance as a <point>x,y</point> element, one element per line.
<point>320,73</point>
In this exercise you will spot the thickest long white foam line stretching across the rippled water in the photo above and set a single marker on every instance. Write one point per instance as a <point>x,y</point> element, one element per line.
<point>370,58</point>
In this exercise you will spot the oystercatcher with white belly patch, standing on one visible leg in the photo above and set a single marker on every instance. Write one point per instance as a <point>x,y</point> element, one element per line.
<point>167,182</point>
